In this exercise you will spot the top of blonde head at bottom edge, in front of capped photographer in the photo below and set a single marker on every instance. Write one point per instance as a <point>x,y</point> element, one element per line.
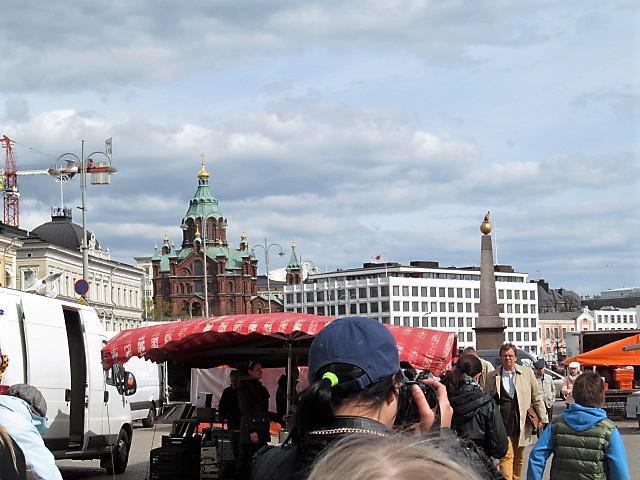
<point>399,457</point>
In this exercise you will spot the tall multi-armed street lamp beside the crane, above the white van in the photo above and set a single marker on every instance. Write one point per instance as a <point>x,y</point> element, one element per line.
<point>100,175</point>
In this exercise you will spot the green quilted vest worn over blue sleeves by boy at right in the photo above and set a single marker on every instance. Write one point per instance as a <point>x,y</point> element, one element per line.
<point>580,456</point>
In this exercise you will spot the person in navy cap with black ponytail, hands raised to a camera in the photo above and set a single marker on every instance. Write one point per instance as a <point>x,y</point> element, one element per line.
<point>355,377</point>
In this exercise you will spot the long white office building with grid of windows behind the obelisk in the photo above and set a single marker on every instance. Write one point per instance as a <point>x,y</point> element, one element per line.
<point>422,294</point>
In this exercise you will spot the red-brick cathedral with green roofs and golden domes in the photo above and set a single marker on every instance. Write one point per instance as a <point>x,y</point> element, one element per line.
<point>231,273</point>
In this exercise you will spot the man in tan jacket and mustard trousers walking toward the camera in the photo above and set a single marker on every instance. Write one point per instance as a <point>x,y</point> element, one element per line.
<point>516,389</point>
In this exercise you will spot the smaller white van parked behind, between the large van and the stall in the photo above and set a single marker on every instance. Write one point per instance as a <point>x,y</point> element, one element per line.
<point>150,397</point>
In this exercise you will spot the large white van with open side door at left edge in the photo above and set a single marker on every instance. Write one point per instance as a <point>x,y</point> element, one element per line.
<point>55,346</point>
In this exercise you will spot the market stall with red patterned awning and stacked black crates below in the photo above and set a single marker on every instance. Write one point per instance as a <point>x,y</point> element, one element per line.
<point>277,340</point>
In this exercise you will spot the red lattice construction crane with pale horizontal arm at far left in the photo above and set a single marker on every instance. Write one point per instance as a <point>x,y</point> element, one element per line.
<point>9,181</point>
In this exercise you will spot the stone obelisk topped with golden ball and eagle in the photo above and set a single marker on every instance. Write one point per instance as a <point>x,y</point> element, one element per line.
<point>489,326</point>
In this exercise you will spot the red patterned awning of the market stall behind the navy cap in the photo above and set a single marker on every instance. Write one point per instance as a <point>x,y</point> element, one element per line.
<point>215,341</point>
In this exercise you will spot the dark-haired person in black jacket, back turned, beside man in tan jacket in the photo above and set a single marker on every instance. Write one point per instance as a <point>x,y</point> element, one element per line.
<point>476,415</point>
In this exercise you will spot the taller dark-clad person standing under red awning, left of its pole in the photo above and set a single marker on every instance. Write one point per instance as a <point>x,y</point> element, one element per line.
<point>254,419</point>
